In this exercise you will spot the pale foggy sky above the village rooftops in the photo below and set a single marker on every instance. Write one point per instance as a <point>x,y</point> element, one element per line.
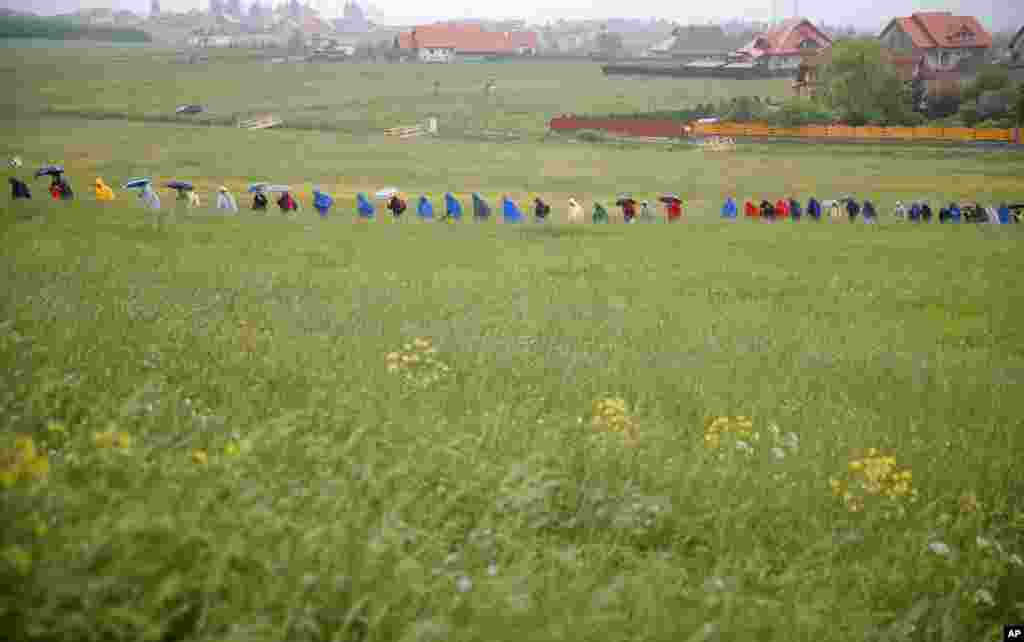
<point>868,15</point>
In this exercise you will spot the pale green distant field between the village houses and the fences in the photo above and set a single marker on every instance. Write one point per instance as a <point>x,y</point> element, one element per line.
<point>356,98</point>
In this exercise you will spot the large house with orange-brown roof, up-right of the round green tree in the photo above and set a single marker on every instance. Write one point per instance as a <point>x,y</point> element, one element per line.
<point>944,41</point>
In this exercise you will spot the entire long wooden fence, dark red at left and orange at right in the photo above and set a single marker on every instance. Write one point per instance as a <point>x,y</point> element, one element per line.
<point>677,130</point>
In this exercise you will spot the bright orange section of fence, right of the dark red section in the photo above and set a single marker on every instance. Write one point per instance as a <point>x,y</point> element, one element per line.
<point>952,135</point>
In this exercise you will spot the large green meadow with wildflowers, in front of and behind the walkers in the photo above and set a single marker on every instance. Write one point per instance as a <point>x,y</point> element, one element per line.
<point>221,452</point>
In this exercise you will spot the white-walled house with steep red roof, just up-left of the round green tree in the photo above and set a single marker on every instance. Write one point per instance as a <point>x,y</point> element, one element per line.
<point>783,48</point>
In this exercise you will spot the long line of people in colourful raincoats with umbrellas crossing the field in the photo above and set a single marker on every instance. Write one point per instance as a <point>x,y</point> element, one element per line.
<point>785,209</point>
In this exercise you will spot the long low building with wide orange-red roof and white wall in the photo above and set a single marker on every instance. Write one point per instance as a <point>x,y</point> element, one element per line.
<point>442,44</point>
